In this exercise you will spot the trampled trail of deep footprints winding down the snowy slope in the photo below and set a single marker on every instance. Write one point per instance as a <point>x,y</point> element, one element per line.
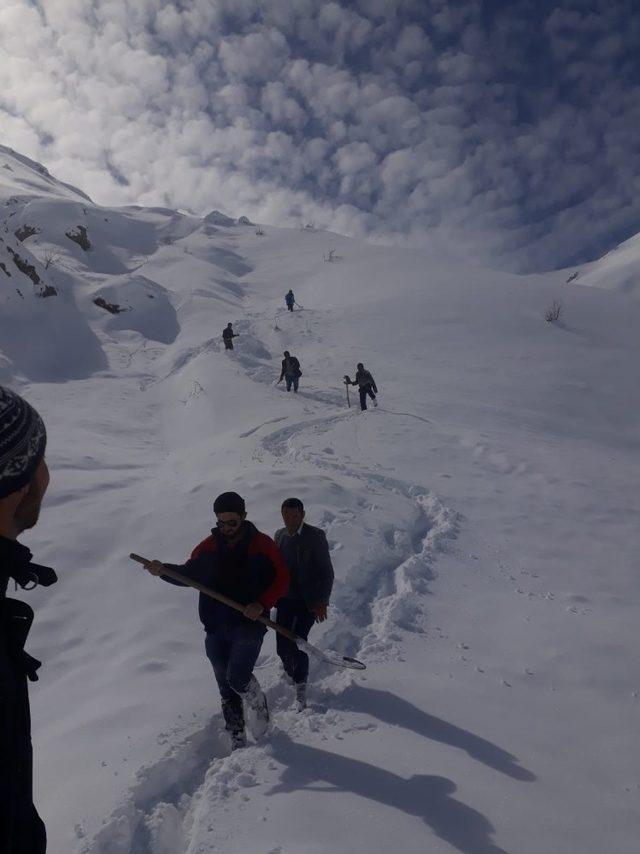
<point>380,598</point>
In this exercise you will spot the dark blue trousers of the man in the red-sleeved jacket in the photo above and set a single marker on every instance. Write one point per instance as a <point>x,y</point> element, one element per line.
<point>233,649</point>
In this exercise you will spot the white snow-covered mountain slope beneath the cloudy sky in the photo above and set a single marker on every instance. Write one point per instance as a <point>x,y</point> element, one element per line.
<point>483,523</point>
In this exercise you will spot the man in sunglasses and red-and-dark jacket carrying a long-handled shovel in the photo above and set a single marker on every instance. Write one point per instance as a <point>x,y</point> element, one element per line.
<point>244,565</point>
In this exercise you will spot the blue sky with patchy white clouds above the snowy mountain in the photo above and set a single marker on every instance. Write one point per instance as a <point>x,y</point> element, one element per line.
<point>505,130</point>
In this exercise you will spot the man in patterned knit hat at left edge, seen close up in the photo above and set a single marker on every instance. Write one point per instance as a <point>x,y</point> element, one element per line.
<point>24,478</point>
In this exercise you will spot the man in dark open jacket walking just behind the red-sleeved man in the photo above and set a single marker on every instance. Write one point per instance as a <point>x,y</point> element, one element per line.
<point>306,553</point>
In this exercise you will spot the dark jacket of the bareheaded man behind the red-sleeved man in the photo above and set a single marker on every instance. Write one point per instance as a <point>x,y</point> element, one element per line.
<point>311,570</point>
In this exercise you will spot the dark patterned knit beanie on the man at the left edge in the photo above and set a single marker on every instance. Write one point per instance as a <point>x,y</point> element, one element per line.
<point>23,439</point>
